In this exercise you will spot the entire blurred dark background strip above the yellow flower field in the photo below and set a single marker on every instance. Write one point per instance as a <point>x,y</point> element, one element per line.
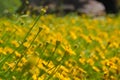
<point>93,7</point>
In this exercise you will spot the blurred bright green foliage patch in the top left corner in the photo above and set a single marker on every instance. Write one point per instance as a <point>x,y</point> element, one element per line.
<point>8,6</point>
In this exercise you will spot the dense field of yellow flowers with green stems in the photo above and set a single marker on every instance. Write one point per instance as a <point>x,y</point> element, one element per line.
<point>60,48</point>
